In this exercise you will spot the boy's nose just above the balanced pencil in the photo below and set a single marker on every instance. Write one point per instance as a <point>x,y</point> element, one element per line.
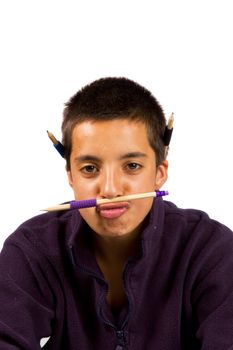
<point>110,184</point>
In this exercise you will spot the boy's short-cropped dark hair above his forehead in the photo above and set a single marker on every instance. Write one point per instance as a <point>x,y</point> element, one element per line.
<point>115,98</point>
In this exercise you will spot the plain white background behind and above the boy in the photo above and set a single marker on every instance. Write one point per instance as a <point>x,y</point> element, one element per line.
<point>180,50</point>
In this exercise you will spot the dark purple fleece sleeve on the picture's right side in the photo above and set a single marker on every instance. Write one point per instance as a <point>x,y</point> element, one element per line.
<point>212,295</point>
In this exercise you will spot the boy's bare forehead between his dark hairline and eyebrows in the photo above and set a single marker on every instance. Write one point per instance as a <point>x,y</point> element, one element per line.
<point>113,133</point>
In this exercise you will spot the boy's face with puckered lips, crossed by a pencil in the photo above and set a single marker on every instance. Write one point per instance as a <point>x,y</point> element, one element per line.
<point>111,159</point>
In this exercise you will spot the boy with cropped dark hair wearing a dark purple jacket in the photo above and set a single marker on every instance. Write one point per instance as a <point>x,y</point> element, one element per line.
<point>140,274</point>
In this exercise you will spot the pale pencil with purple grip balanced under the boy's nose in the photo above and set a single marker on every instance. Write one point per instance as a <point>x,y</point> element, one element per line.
<point>88,203</point>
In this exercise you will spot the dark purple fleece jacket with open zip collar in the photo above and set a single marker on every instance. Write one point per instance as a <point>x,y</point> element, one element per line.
<point>179,288</point>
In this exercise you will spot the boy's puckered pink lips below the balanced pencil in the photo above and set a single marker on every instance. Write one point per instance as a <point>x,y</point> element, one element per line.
<point>112,211</point>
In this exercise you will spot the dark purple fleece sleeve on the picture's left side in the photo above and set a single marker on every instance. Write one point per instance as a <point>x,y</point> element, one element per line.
<point>26,300</point>
